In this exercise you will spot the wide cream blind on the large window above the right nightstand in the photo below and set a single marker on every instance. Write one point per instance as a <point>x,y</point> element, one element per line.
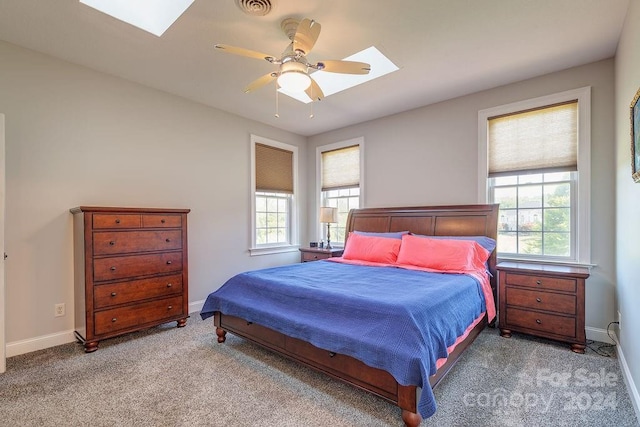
<point>539,140</point>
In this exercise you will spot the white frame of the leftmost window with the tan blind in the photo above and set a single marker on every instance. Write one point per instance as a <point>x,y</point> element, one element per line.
<point>293,244</point>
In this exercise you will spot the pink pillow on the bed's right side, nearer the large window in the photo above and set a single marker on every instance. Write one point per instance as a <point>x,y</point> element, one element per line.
<point>442,254</point>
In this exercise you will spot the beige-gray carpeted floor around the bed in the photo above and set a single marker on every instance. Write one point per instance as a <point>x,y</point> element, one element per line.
<point>166,376</point>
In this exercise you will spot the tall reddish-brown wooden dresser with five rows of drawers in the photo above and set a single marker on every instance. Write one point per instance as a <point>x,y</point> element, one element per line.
<point>130,270</point>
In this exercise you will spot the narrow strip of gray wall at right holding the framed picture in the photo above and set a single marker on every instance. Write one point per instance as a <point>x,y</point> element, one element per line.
<point>627,212</point>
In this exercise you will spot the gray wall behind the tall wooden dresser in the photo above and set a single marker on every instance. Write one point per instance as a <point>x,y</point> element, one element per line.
<point>78,137</point>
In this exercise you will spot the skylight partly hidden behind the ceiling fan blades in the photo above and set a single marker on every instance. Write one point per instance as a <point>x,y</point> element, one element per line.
<point>331,83</point>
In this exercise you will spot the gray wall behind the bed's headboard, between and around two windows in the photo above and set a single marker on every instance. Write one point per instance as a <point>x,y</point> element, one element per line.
<point>429,156</point>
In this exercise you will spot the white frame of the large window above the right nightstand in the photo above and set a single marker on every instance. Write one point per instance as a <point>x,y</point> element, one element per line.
<point>583,184</point>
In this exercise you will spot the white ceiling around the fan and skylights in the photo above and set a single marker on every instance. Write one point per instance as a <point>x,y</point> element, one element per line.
<point>444,48</point>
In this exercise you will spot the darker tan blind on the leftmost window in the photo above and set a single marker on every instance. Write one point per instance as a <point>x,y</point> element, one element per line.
<point>274,169</point>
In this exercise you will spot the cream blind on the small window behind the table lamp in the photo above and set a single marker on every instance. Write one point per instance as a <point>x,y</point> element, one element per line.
<point>341,168</point>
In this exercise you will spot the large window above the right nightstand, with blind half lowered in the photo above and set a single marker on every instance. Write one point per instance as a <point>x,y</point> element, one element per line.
<point>535,162</point>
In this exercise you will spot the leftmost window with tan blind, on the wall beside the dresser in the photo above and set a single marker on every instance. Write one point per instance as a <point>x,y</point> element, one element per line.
<point>273,220</point>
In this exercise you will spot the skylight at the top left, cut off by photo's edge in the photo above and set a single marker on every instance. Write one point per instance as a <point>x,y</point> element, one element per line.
<point>154,16</point>
